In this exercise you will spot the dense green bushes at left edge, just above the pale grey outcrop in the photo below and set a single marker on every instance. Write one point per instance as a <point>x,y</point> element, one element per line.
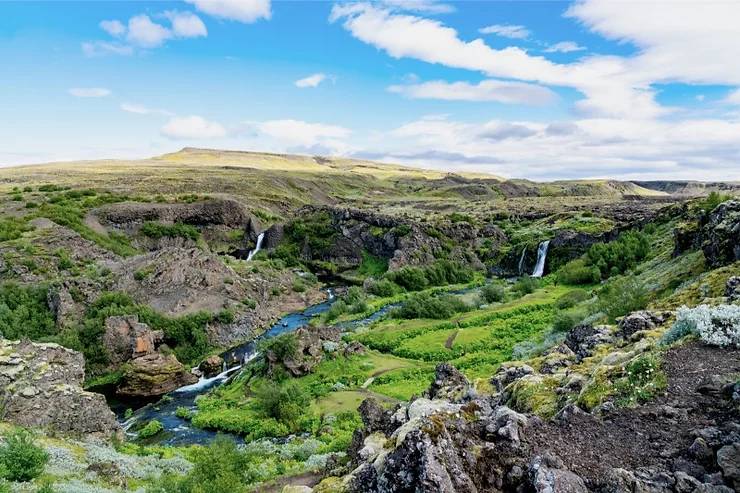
<point>24,312</point>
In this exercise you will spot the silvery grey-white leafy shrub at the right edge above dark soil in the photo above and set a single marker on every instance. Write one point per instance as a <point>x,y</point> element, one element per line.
<point>715,325</point>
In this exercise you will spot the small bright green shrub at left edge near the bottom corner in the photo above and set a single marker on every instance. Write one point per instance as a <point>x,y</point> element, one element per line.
<point>22,459</point>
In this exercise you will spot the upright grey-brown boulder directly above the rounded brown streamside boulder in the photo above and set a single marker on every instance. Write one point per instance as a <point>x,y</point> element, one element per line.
<point>125,338</point>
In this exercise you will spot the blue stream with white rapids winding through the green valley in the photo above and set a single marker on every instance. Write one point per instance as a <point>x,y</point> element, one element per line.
<point>179,432</point>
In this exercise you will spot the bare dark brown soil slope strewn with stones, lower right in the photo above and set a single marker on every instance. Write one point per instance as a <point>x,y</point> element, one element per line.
<point>654,434</point>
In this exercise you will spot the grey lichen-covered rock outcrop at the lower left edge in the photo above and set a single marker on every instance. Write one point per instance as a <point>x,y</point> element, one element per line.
<point>41,385</point>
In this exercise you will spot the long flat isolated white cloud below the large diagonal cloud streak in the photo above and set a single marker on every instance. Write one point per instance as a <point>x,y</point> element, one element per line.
<point>487,90</point>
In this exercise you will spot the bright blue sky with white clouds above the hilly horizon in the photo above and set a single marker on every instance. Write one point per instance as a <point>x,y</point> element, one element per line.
<point>525,89</point>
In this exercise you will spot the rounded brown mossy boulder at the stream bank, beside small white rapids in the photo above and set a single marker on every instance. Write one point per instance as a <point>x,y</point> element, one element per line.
<point>153,375</point>
